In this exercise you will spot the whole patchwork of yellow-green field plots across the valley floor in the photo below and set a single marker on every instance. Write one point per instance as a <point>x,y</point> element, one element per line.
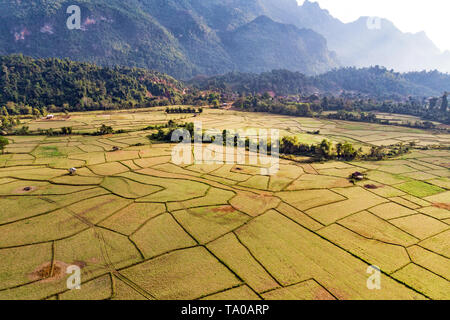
<point>141,227</point>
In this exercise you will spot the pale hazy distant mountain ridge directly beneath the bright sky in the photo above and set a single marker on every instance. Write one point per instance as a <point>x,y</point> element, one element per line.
<point>358,45</point>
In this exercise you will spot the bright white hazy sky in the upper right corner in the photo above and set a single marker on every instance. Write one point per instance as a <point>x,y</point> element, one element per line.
<point>431,16</point>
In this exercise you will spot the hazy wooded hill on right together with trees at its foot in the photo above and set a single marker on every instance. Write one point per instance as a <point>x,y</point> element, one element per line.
<point>365,90</point>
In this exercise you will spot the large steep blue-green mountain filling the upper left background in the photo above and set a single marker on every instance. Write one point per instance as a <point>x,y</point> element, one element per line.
<point>180,37</point>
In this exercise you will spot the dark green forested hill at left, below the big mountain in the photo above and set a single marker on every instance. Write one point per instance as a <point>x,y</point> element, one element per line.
<point>80,86</point>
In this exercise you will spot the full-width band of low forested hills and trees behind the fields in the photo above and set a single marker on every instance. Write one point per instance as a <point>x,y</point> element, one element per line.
<point>63,85</point>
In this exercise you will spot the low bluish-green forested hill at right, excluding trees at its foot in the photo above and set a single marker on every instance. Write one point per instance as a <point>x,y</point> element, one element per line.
<point>375,82</point>
